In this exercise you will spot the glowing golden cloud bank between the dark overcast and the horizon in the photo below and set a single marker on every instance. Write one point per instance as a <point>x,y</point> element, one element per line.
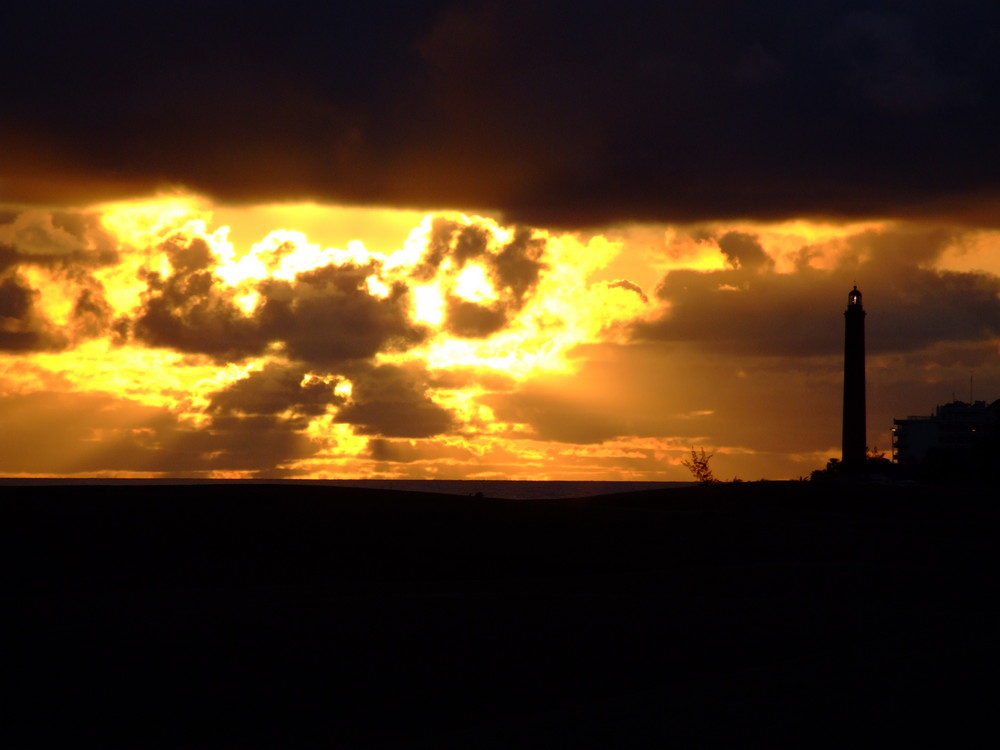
<point>136,339</point>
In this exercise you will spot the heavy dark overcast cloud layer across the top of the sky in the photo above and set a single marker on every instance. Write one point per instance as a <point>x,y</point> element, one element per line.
<point>557,113</point>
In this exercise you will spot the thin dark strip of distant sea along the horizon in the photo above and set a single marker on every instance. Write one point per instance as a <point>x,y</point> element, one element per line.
<point>502,489</point>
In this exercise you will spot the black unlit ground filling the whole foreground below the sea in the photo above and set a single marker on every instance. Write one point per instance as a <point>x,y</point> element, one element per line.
<point>748,615</point>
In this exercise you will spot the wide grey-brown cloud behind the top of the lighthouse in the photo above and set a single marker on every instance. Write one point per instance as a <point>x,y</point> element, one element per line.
<point>753,310</point>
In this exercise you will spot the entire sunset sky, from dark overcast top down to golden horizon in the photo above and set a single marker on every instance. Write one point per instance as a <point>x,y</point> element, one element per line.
<point>505,240</point>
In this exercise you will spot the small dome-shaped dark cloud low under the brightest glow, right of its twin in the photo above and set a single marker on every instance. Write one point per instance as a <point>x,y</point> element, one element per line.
<point>392,401</point>
